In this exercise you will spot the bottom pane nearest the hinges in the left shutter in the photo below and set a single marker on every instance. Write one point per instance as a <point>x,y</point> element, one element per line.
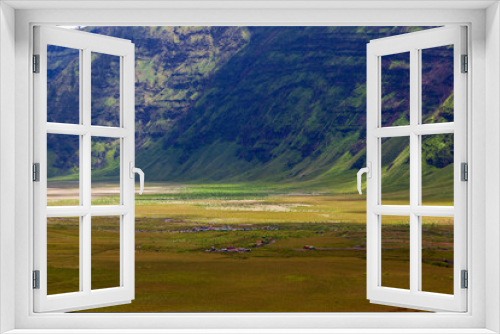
<point>63,255</point>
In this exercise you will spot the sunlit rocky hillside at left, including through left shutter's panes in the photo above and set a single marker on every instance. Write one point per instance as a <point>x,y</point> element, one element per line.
<point>173,65</point>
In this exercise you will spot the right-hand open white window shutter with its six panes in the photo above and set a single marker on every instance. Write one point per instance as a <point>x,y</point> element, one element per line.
<point>414,294</point>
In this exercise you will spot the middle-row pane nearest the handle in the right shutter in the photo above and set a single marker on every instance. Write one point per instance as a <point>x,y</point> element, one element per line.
<point>395,171</point>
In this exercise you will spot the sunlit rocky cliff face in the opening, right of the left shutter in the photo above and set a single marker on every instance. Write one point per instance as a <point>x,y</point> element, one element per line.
<point>173,67</point>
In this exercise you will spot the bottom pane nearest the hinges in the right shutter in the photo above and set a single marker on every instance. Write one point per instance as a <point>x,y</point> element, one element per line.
<point>437,254</point>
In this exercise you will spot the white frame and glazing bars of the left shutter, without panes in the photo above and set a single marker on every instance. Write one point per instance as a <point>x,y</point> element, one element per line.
<point>85,44</point>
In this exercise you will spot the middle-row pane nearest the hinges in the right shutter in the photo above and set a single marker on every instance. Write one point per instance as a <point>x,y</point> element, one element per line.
<point>437,170</point>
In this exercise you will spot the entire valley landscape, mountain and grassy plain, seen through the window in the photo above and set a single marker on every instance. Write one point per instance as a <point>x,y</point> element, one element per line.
<point>266,128</point>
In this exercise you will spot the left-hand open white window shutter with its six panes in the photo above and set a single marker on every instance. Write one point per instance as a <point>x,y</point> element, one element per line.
<point>86,293</point>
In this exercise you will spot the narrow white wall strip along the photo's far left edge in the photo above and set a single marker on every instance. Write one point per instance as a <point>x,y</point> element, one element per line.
<point>7,159</point>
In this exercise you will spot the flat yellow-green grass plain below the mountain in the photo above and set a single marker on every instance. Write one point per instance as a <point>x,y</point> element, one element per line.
<point>176,273</point>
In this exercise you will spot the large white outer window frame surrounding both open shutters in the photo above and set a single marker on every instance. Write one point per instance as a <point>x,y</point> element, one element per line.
<point>483,314</point>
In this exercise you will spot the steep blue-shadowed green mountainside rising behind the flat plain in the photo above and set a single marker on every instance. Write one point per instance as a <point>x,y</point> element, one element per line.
<point>263,103</point>
